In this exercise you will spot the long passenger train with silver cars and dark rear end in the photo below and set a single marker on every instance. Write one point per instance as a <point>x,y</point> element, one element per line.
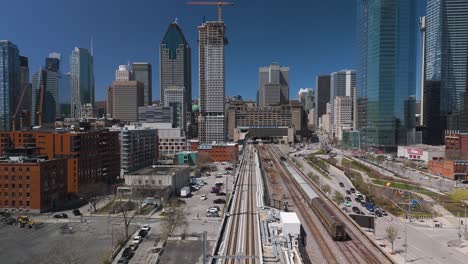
<point>334,226</point>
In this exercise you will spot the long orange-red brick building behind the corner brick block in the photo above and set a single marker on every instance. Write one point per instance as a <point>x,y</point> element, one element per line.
<point>93,157</point>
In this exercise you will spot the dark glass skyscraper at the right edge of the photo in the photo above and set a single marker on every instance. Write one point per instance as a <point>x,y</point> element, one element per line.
<point>446,59</point>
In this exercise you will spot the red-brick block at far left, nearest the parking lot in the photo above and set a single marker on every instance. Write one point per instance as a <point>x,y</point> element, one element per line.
<point>32,184</point>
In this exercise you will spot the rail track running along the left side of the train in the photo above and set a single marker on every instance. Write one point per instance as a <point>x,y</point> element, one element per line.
<point>298,197</point>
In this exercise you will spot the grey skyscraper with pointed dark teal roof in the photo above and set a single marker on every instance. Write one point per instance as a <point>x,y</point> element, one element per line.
<point>176,74</point>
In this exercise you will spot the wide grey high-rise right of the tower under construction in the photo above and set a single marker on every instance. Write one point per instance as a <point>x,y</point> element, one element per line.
<point>273,85</point>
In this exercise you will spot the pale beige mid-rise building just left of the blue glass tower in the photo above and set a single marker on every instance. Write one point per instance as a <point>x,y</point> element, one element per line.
<point>343,113</point>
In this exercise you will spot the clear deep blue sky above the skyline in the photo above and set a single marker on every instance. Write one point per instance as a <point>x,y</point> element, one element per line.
<point>310,36</point>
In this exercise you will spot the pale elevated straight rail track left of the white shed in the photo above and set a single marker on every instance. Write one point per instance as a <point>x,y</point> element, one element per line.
<point>242,230</point>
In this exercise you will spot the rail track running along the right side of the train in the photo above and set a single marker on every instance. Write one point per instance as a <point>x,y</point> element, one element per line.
<point>359,249</point>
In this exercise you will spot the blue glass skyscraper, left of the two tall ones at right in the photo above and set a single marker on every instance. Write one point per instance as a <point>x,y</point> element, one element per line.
<point>387,31</point>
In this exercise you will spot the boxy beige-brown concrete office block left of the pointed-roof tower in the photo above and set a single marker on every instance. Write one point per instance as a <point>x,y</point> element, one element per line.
<point>127,96</point>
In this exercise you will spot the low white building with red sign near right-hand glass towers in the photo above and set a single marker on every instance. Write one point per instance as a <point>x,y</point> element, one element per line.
<point>421,152</point>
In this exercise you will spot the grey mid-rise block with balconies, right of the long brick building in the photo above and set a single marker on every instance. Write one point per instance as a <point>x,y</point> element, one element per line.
<point>138,147</point>
